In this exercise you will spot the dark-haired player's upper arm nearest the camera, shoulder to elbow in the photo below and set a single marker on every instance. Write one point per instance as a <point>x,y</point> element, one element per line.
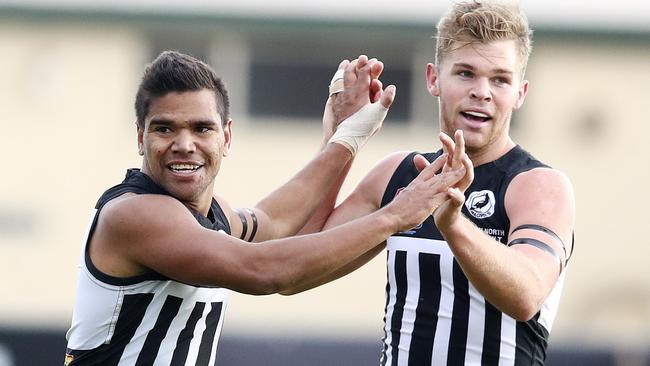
<point>159,233</point>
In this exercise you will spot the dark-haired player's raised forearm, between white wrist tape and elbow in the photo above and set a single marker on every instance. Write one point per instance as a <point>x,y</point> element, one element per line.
<point>289,207</point>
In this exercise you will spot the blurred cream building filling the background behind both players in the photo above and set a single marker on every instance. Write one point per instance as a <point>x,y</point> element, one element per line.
<point>68,74</point>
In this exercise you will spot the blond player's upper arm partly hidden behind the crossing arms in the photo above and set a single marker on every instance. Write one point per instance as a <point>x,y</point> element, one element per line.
<point>367,195</point>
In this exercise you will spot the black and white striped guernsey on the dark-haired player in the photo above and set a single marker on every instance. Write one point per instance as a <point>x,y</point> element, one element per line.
<point>147,319</point>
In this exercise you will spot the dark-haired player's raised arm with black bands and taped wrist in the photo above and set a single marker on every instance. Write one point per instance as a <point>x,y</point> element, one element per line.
<point>288,208</point>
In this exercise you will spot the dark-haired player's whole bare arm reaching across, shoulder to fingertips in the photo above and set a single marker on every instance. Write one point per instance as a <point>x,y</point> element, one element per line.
<point>167,239</point>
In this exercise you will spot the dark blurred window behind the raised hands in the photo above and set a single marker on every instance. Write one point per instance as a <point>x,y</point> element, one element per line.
<point>289,80</point>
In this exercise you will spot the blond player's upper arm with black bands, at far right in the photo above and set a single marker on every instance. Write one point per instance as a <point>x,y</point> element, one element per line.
<point>542,197</point>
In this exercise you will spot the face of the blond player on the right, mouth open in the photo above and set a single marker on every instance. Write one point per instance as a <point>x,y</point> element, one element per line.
<point>478,86</point>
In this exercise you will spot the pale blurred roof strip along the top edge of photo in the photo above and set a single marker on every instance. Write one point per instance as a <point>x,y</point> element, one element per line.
<point>580,15</point>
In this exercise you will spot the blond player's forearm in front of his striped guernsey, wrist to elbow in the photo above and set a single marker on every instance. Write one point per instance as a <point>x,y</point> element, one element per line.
<point>505,277</point>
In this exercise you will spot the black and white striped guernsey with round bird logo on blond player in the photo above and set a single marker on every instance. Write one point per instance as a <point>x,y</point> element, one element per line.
<point>433,314</point>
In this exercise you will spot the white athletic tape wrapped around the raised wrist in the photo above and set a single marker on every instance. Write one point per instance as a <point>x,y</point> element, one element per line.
<point>355,130</point>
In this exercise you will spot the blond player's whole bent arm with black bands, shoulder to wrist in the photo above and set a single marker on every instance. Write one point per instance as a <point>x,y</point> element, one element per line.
<point>516,278</point>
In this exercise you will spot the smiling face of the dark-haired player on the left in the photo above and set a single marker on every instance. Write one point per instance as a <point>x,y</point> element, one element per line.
<point>182,143</point>
